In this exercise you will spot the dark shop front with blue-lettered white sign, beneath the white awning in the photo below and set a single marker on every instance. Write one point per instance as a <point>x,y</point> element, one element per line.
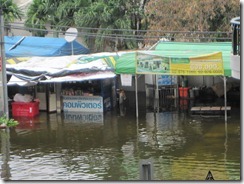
<point>95,96</point>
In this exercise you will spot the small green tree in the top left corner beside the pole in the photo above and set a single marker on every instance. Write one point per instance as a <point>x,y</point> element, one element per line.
<point>11,12</point>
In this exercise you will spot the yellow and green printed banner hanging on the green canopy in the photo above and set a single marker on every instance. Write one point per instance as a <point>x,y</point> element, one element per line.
<point>209,64</point>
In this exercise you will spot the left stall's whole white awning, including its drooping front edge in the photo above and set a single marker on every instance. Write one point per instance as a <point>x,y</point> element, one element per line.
<point>63,68</point>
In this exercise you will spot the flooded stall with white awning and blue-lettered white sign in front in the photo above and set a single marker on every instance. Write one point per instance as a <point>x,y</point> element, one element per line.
<point>78,83</point>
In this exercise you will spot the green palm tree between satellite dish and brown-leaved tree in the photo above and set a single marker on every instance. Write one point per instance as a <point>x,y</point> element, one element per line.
<point>113,23</point>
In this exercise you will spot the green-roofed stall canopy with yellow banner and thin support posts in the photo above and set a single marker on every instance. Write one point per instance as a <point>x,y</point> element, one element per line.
<point>178,59</point>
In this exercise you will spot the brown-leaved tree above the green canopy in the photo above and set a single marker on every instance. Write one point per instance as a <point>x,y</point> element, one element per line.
<point>190,16</point>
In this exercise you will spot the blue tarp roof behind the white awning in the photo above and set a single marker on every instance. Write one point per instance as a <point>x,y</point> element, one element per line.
<point>21,46</point>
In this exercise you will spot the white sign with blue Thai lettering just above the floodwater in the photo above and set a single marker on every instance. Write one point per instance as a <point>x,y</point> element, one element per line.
<point>82,104</point>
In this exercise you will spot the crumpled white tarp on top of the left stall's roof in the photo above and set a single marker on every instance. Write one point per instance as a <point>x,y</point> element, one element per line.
<point>54,66</point>
